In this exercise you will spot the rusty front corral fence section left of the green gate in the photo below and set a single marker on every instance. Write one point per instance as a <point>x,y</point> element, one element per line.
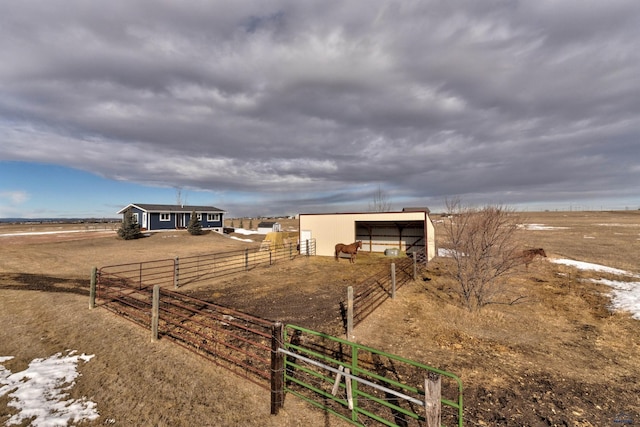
<point>232,339</point>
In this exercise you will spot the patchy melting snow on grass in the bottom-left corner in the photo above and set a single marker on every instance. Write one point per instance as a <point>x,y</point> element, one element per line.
<point>39,393</point>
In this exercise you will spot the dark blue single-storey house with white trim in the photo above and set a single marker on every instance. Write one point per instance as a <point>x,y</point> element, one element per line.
<point>152,217</point>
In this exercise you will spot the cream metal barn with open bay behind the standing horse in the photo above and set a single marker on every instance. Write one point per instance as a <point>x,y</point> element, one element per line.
<point>410,230</point>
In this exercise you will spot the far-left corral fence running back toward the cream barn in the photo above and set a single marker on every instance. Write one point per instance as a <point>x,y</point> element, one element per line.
<point>178,271</point>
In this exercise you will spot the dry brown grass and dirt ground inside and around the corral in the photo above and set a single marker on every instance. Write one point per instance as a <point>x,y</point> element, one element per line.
<point>560,358</point>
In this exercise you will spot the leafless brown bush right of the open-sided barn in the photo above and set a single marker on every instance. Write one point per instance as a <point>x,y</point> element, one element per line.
<point>484,247</point>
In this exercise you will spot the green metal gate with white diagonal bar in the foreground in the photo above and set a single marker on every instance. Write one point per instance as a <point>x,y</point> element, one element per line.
<point>361,384</point>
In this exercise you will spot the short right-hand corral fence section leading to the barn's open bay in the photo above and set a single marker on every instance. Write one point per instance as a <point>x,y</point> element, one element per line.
<point>364,297</point>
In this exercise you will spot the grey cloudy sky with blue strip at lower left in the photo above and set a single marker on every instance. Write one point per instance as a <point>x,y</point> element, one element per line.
<point>285,107</point>
